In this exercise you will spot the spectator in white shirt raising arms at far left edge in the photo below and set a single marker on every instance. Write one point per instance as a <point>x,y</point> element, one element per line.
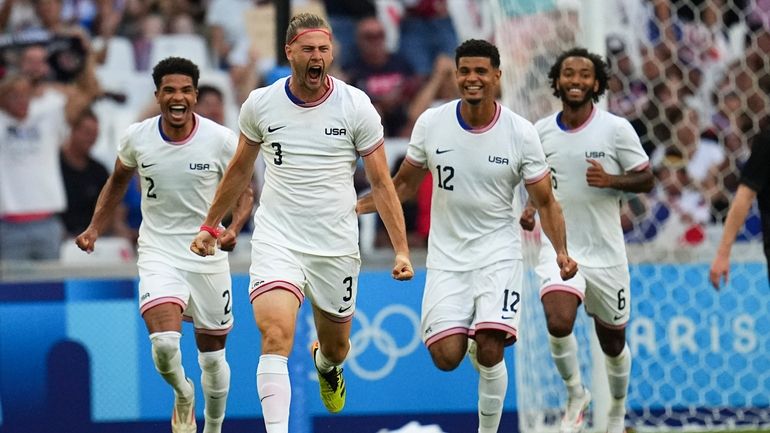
<point>35,117</point>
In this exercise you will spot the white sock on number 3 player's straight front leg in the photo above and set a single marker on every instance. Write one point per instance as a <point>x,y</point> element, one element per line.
<point>274,390</point>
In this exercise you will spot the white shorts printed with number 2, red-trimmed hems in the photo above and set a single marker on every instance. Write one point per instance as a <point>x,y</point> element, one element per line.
<point>206,299</point>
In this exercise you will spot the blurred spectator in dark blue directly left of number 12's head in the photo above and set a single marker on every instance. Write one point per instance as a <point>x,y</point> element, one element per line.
<point>426,31</point>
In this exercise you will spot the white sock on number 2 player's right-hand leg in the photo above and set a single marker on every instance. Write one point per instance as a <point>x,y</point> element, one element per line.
<point>215,381</point>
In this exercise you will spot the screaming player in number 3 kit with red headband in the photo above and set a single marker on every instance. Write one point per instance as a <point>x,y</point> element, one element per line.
<point>311,128</point>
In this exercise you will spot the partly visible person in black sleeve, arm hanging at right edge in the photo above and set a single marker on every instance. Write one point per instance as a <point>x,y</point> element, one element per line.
<point>755,183</point>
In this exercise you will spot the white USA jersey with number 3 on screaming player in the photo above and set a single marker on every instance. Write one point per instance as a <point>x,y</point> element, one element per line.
<point>310,149</point>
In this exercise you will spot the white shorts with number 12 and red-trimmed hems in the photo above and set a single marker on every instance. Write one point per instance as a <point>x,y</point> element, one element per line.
<point>466,302</point>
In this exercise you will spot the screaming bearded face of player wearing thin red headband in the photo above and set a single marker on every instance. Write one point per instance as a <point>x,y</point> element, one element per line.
<point>310,56</point>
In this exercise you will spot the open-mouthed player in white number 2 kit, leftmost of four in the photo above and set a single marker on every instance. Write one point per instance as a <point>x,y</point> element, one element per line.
<point>181,158</point>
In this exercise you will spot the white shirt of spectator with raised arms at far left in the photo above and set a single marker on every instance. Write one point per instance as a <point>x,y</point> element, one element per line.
<point>30,172</point>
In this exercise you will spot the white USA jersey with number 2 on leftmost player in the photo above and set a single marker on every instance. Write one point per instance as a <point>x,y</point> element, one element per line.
<point>178,182</point>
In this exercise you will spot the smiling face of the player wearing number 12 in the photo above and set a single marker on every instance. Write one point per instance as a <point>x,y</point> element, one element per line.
<point>477,79</point>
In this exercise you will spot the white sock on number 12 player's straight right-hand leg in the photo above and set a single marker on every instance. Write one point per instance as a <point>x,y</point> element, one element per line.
<point>493,383</point>
